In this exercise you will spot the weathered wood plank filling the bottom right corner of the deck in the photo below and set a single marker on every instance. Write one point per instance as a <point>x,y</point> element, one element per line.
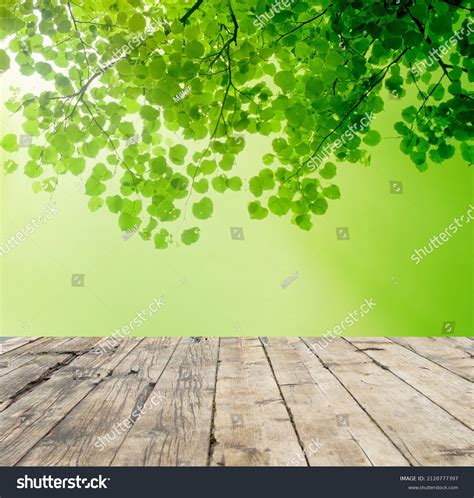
<point>423,432</point>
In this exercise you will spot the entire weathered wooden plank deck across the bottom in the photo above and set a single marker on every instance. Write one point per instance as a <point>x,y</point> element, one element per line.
<point>238,401</point>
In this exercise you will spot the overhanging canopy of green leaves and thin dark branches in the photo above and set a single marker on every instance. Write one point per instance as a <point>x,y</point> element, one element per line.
<point>153,101</point>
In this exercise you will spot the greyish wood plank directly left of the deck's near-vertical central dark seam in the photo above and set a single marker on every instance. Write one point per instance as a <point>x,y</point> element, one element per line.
<point>177,432</point>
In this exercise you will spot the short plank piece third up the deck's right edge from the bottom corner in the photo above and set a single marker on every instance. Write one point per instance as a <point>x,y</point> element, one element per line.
<point>442,352</point>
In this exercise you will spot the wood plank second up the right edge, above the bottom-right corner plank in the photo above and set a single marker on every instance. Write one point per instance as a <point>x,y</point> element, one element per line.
<point>453,393</point>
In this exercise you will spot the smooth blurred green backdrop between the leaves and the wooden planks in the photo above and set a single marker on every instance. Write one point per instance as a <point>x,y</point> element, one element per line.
<point>227,287</point>
